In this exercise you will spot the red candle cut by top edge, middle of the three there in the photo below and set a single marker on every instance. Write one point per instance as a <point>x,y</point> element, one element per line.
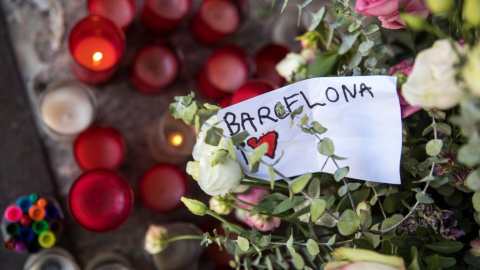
<point>163,16</point>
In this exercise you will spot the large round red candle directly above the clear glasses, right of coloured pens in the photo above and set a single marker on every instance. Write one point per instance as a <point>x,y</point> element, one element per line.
<point>100,200</point>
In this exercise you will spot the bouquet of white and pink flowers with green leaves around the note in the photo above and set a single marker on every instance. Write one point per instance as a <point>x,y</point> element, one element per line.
<point>325,221</point>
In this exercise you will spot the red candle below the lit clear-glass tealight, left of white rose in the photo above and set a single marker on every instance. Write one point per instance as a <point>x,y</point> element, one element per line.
<point>162,187</point>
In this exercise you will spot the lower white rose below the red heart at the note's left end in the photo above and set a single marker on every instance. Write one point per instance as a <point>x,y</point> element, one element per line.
<point>219,179</point>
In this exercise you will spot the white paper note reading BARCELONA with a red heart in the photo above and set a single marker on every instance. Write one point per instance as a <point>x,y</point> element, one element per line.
<point>362,115</point>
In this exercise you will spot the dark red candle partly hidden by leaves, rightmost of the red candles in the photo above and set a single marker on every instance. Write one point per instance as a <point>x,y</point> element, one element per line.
<point>266,61</point>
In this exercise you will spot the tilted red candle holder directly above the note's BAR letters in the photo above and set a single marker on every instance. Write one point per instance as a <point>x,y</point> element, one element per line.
<point>225,71</point>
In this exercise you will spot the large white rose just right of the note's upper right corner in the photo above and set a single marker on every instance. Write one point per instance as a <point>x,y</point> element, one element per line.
<point>432,82</point>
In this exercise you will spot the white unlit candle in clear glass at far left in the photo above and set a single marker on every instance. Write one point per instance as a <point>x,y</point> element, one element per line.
<point>66,109</point>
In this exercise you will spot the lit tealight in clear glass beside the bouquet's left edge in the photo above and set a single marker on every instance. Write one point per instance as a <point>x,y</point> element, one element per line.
<point>171,141</point>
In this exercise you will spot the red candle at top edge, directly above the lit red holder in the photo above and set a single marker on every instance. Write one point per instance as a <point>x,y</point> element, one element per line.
<point>121,12</point>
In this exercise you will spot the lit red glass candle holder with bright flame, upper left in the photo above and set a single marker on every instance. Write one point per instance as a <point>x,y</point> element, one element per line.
<point>96,45</point>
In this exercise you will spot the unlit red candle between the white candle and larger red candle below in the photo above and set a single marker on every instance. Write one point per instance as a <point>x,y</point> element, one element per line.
<point>99,147</point>
